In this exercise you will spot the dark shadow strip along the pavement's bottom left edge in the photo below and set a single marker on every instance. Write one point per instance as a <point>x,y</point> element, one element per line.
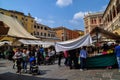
<point>13,76</point>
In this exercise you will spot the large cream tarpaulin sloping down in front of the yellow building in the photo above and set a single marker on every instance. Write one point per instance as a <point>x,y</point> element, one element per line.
<point>15,28</point>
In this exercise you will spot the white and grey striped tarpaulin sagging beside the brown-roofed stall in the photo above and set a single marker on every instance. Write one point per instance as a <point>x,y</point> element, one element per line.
<point>73,44</point>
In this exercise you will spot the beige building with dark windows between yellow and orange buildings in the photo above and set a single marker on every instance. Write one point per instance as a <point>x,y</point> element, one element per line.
<point>45,33</point>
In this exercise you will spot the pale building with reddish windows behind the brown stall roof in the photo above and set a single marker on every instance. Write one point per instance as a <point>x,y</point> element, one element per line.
<point>92,20</point>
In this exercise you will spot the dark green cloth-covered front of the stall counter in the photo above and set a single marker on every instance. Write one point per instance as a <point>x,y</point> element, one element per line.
<point>101,61</point>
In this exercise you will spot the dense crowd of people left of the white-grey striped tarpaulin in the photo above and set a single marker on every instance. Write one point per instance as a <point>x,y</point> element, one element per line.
<point>29,56</point>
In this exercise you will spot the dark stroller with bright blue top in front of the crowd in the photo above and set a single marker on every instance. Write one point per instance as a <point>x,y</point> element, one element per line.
<point>33,66</point>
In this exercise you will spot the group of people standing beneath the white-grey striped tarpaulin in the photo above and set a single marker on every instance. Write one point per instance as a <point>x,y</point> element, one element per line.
<point>72,58</point>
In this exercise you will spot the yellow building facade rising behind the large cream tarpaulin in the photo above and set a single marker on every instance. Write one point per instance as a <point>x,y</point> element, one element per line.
<point>26,20</point>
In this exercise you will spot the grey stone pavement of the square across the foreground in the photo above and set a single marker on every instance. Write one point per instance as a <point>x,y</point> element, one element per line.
<point>54,72</point>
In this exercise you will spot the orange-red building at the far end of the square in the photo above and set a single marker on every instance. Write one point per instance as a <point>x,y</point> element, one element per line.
<point>66,34</point>
